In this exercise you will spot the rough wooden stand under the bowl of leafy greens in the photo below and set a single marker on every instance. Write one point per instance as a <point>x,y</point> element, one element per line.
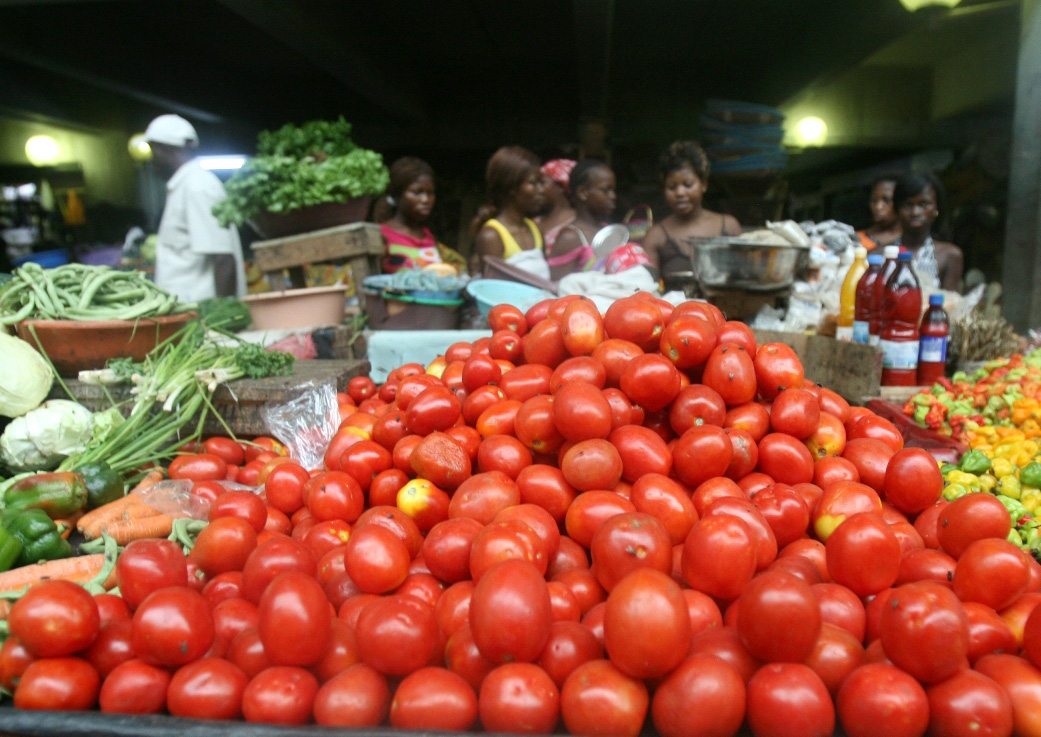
<point>360,244</point>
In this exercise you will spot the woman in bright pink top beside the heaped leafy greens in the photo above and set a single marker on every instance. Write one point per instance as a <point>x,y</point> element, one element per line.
<point>403,214</point>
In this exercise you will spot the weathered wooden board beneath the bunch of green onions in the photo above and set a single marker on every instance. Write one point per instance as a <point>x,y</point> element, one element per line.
<point>239,403</point>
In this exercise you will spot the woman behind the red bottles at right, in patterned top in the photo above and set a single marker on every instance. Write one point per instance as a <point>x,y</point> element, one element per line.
<point>919,198</point>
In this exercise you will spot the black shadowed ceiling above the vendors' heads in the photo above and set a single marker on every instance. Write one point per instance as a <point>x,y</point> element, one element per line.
<point>448,73</point>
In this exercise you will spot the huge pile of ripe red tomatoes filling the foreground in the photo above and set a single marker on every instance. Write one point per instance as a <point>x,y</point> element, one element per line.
<point>596,523</point>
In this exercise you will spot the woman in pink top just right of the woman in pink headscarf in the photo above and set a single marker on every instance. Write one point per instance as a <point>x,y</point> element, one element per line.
<point>593,185</point>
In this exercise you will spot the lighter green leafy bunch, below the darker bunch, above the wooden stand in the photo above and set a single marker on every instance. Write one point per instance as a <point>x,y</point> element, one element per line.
<point>284,184</point>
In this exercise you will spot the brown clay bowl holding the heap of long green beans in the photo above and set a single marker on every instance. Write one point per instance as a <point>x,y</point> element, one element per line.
<point>74,346</point>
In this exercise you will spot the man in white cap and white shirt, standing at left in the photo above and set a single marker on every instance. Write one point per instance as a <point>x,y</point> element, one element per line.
<point>195,258</point>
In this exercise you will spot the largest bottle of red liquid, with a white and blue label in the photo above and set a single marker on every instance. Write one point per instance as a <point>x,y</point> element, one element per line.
<point>899,340</point>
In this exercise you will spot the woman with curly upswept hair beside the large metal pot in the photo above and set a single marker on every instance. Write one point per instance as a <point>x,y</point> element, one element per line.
<point>684,170</point>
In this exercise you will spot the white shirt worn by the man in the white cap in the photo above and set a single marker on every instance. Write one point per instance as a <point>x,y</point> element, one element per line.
<point>190,235</point>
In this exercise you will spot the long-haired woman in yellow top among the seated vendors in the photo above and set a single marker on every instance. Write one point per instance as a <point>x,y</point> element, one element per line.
<point>504,226</point>
